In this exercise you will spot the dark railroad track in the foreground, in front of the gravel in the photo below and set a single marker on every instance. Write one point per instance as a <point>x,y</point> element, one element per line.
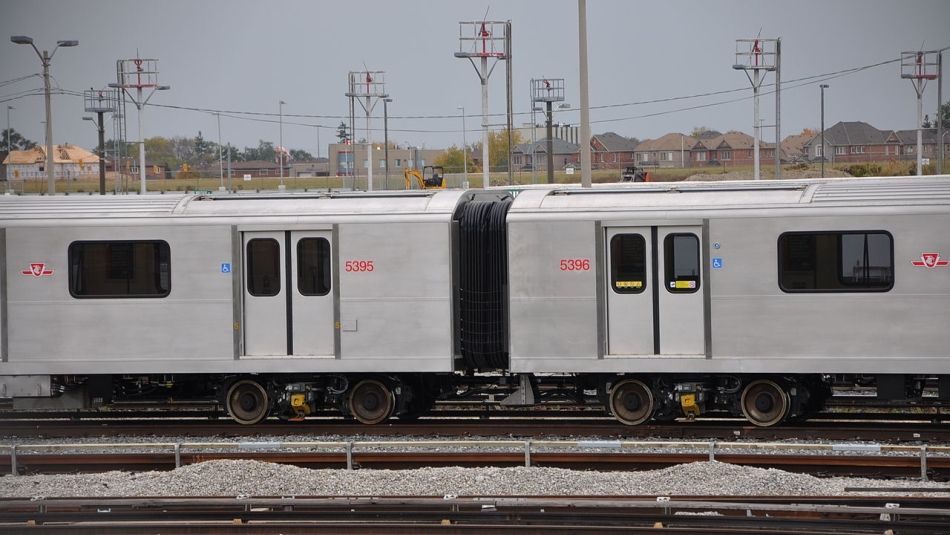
<point>516,514</point>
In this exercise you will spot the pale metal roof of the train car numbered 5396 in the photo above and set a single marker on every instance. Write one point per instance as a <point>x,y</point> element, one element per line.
<point>908,191</point>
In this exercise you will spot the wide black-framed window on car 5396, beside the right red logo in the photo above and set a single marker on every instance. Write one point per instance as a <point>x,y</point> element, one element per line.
<point>852,261</point>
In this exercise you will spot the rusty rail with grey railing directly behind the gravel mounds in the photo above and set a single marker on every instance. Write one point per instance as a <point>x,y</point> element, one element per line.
<point>584,455</point>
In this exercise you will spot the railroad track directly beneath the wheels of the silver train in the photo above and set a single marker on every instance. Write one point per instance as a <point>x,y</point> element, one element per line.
<point>890,432</point>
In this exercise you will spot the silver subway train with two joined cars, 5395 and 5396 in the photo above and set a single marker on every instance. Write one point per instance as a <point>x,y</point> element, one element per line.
<point>656,301</point>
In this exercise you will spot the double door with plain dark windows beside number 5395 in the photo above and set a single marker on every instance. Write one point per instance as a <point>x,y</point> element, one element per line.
<point>288,302</point>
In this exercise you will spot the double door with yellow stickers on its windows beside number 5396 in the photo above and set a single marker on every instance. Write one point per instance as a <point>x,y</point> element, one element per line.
<point>654,302</point>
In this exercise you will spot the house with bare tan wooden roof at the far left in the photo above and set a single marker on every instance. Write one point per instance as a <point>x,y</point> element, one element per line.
<point>69,162</point>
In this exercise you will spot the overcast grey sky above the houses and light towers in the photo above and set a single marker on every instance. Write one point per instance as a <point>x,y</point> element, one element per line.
<point>245,56</point>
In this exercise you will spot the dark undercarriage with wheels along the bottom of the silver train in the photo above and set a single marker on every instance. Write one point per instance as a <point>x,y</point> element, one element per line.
<point>371,399</point>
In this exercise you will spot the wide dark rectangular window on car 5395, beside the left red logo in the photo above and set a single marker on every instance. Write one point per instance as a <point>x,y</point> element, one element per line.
<point>119,269</point>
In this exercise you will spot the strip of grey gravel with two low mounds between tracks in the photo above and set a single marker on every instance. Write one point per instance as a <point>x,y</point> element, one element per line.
<point>254,478</point>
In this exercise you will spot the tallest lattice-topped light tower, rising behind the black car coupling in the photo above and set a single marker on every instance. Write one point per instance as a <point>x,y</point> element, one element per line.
<point>485,40</point>
